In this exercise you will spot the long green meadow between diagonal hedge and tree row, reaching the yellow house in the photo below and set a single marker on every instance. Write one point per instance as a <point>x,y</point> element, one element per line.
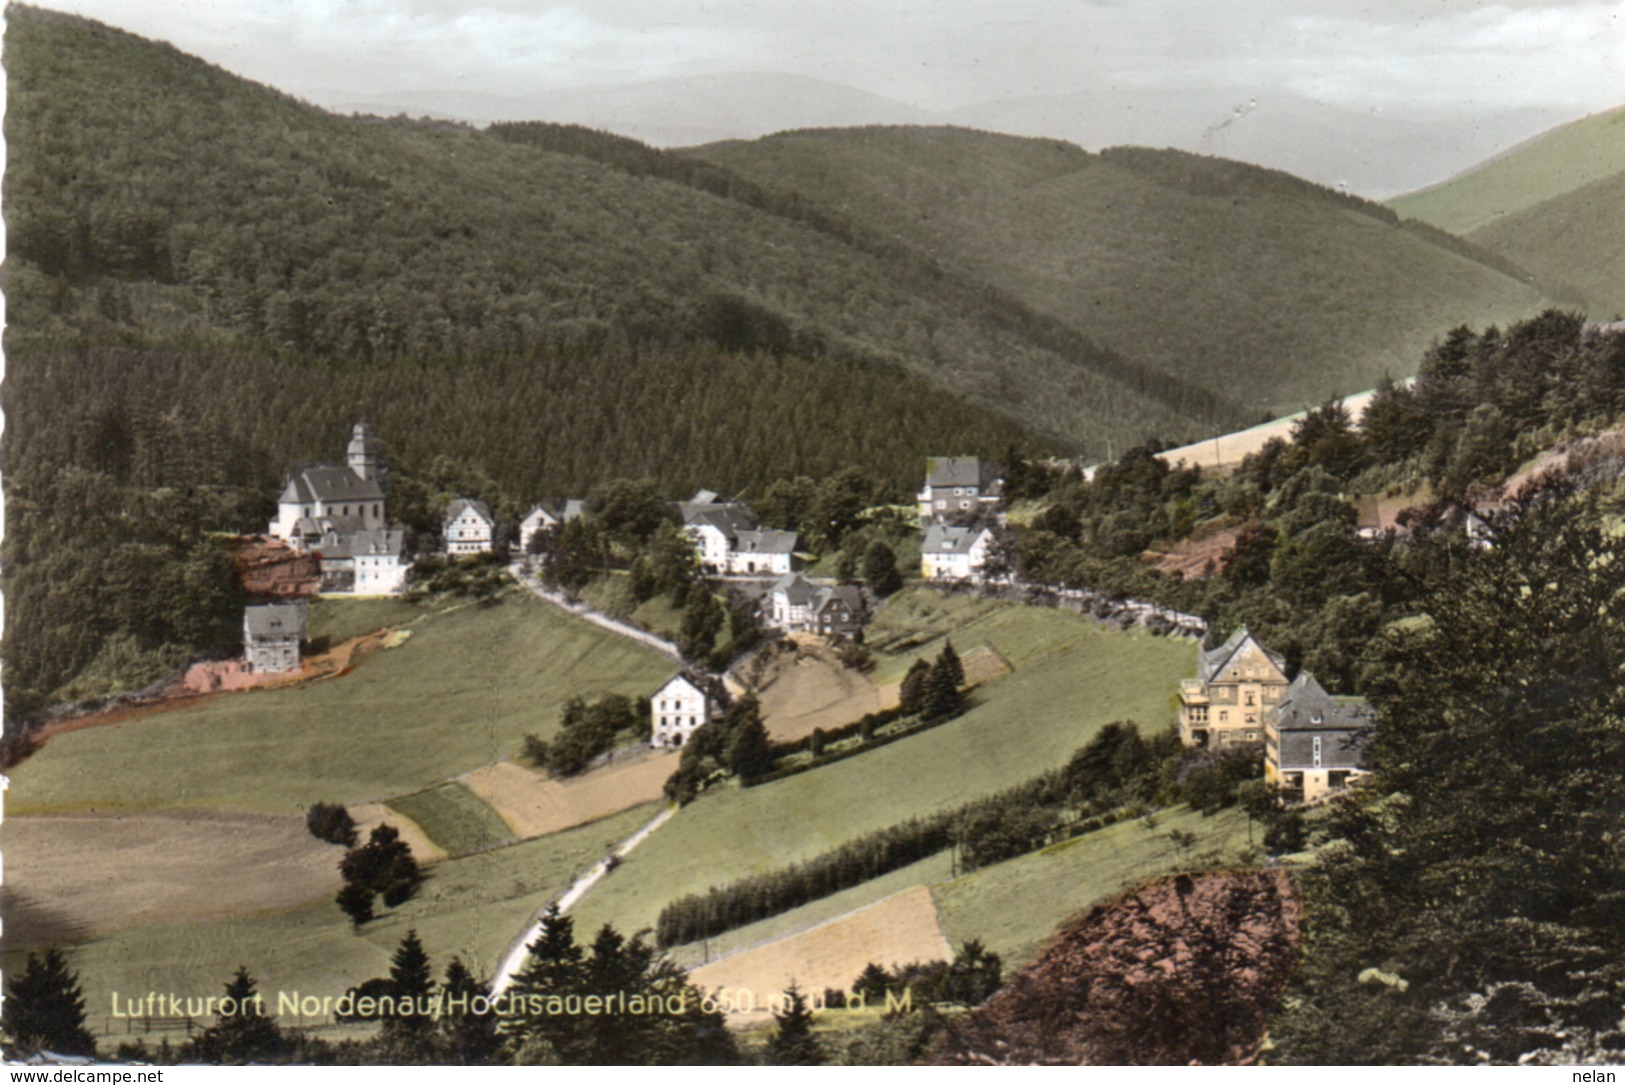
<point>1070,680</point>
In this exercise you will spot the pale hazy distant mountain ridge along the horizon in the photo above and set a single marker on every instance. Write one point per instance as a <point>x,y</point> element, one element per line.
<point>1369,153</point>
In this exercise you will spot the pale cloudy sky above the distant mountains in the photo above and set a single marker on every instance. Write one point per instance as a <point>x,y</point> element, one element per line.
<point>934,54</point>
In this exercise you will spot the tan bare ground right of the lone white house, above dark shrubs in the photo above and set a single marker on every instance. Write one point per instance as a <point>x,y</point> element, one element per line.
<point>808,688</point>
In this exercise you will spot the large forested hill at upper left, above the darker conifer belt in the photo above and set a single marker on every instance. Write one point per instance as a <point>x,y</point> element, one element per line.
<point>155,201</point>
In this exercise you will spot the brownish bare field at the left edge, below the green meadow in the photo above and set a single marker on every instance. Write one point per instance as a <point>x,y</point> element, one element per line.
<point>69,878</point>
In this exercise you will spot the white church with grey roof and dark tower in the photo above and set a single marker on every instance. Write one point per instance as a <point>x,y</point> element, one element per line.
<point>336,499</point>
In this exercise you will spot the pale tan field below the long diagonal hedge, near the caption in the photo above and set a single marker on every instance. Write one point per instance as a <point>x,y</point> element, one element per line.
<point>896,932</point>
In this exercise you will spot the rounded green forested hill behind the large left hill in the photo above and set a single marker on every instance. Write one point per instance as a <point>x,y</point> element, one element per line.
<point>1239,279</point>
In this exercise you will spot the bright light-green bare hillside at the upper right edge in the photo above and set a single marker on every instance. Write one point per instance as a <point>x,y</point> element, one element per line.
<point>1549,166</point>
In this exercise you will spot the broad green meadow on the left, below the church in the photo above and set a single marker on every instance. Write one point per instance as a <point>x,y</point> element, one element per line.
<point>461,694</point>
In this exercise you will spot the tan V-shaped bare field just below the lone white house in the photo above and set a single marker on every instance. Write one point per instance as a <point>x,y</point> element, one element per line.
<point>534,805</point>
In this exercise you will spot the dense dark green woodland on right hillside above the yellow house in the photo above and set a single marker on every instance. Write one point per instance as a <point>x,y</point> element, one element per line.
<point>1298,573</point>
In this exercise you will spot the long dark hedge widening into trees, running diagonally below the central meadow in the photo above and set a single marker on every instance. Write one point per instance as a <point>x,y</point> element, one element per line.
<point>1116,771</point>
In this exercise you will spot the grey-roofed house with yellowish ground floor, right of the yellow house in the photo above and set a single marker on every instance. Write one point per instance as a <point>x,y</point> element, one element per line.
<point>1314,743</point>
